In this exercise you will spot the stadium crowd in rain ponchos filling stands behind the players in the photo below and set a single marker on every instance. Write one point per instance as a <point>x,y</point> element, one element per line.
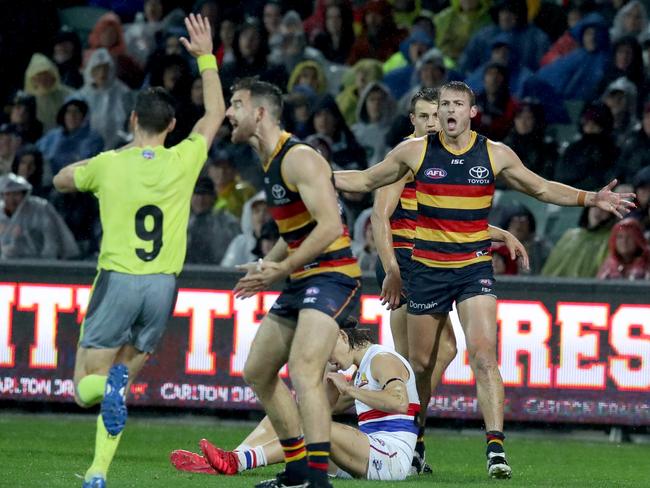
<point>565,83</point>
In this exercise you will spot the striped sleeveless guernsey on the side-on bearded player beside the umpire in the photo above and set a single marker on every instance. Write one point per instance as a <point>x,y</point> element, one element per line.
<point>295,222</point>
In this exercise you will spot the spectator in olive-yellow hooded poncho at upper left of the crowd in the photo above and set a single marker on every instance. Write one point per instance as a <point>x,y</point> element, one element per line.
<point>42,80</point>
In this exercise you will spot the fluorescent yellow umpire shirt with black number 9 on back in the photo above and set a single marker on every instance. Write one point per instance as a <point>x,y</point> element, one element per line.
<point>144,204</point>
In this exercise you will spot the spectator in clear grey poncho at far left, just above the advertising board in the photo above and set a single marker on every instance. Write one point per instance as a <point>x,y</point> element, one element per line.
<point>29,226</point>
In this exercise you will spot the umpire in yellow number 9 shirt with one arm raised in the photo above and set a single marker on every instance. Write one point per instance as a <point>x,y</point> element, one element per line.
<point>144,193</point>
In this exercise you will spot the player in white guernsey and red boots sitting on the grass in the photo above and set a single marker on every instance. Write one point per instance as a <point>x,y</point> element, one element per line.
<point>386,401</point>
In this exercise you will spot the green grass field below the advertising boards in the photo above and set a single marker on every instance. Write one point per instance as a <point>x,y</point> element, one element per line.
<point>47,451</point>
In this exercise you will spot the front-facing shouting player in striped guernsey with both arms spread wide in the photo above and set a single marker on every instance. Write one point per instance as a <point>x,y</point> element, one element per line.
<point>454,173</point>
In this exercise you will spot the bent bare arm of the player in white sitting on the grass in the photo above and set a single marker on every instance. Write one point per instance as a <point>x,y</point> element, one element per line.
<point>389,371</point>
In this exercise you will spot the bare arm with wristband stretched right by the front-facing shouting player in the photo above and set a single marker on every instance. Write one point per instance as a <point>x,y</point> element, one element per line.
<point>512,170</point>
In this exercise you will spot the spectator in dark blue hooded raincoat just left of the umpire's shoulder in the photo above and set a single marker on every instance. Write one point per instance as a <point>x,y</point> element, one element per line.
<point>73,140</point>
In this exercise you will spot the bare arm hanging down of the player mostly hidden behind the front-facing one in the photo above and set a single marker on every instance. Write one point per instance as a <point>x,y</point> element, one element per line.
<point>386,199</point>
